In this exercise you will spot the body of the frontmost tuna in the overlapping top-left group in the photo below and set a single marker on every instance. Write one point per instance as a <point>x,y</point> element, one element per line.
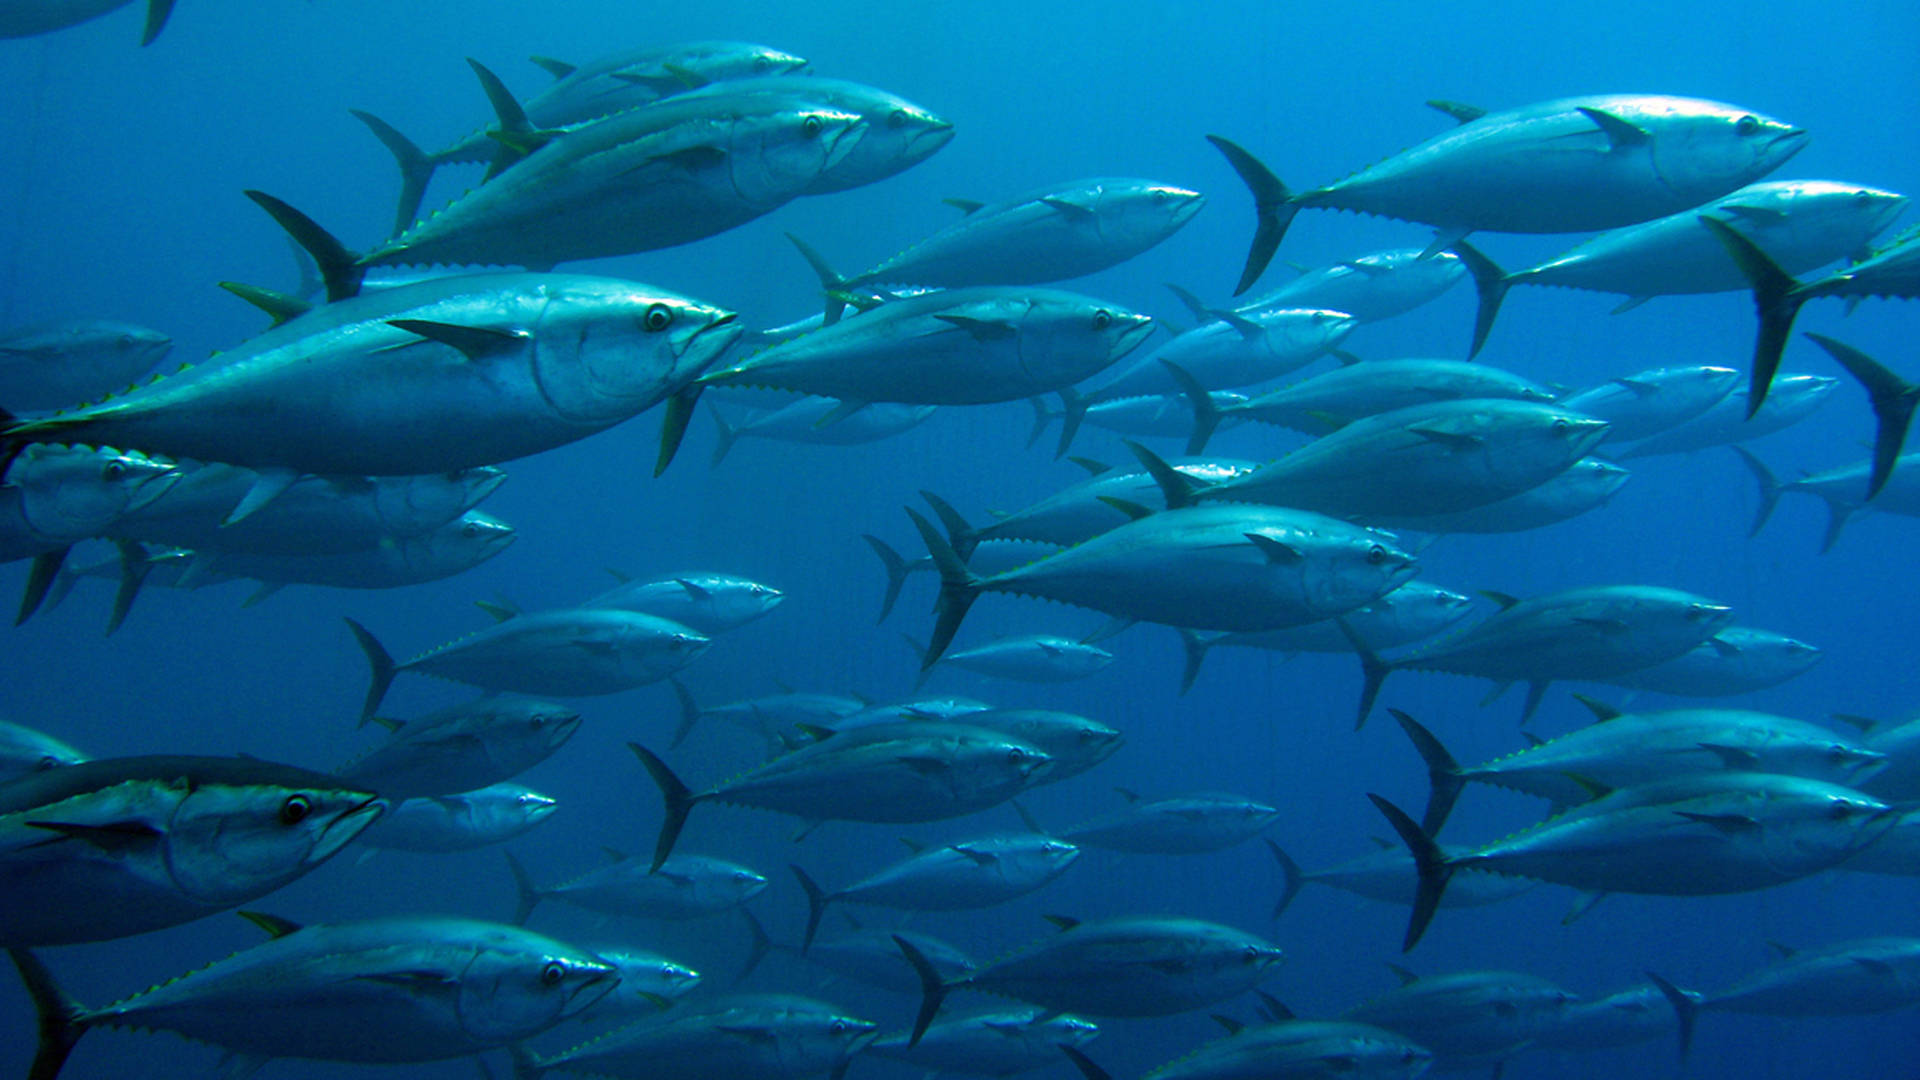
<point>636,182</point>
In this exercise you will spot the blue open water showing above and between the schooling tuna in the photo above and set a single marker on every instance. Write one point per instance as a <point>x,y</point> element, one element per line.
<point>122,199</point>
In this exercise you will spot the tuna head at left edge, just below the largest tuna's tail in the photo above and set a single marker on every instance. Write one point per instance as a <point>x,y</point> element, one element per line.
<point>72,493</point>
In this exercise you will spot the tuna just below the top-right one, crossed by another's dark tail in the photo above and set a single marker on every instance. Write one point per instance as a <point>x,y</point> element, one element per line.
<point>1798,224</point>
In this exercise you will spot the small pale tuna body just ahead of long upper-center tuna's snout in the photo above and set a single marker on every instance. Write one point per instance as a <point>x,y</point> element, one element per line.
<point>1228,355</point>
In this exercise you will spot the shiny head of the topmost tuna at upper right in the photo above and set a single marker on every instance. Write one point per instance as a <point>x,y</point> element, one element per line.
<point>1706,149</point>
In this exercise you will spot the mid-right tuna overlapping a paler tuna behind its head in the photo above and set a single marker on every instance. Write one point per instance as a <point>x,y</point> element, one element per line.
<point>1579,633</point>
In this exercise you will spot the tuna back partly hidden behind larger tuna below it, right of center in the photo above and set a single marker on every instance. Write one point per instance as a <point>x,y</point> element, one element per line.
<point>1345,395</point>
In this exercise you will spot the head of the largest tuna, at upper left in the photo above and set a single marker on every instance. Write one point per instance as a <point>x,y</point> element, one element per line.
<point>606,351</point>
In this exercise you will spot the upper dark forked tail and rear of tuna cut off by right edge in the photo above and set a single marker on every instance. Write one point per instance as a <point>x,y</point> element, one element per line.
<point>1892,272</point>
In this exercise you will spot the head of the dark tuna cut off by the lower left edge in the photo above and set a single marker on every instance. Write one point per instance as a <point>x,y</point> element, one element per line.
<point>235,839</point>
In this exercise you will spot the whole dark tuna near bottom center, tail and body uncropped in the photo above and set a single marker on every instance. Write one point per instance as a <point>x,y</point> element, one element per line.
<point>1115,968</point>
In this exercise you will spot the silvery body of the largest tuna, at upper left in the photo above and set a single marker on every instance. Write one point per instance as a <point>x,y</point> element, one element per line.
<point>348,389</point>
